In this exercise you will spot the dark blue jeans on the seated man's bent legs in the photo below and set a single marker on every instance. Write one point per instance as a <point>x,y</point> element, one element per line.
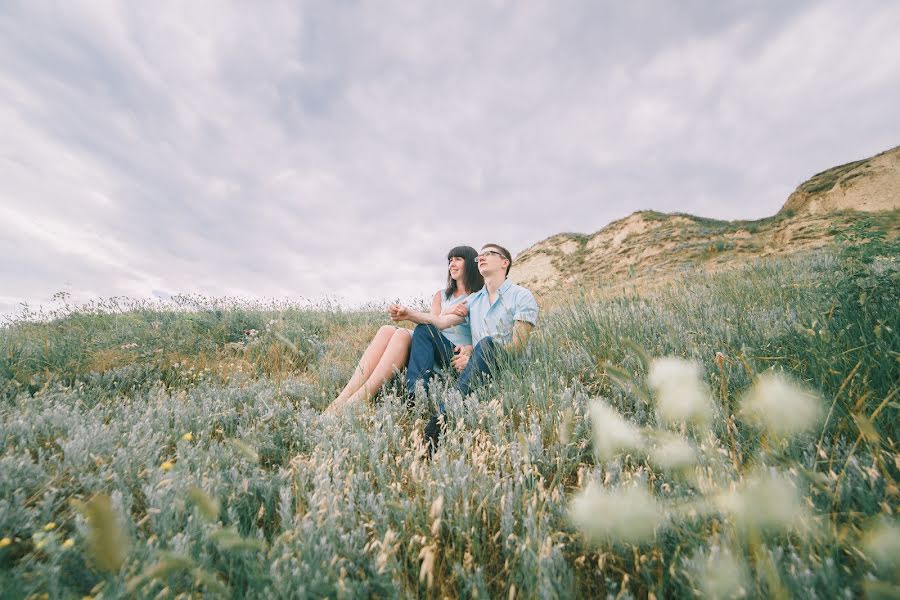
<point>431,349</point>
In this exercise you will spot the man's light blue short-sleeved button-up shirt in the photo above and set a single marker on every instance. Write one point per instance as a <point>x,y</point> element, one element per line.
<point>513,303</point>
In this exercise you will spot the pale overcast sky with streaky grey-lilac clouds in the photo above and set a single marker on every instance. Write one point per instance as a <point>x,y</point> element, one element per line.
<point>337,150</point>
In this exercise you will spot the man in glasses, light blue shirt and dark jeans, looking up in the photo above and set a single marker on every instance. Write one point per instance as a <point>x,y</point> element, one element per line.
<point>501,316</point>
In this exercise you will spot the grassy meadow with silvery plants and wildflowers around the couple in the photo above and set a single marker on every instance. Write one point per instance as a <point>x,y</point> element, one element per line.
<point>168,452</point>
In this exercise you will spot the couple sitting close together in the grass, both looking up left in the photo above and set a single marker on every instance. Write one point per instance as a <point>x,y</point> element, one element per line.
<point>480,315</point>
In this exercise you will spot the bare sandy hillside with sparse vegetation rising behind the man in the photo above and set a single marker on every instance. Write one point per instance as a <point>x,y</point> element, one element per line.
<point>648,248</point>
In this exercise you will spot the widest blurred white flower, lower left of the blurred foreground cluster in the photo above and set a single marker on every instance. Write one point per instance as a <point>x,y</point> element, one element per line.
<point>626,515</point>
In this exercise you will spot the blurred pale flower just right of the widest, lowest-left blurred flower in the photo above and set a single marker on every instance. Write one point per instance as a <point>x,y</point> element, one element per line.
<point>765,502</point>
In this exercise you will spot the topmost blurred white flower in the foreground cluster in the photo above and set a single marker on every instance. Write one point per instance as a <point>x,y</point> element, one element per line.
<point>680,392</point>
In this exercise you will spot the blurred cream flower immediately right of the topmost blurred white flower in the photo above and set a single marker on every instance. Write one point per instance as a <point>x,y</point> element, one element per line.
<point>780,406</point>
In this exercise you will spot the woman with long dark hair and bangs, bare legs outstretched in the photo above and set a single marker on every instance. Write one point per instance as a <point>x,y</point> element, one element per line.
<point>389,349</point>
